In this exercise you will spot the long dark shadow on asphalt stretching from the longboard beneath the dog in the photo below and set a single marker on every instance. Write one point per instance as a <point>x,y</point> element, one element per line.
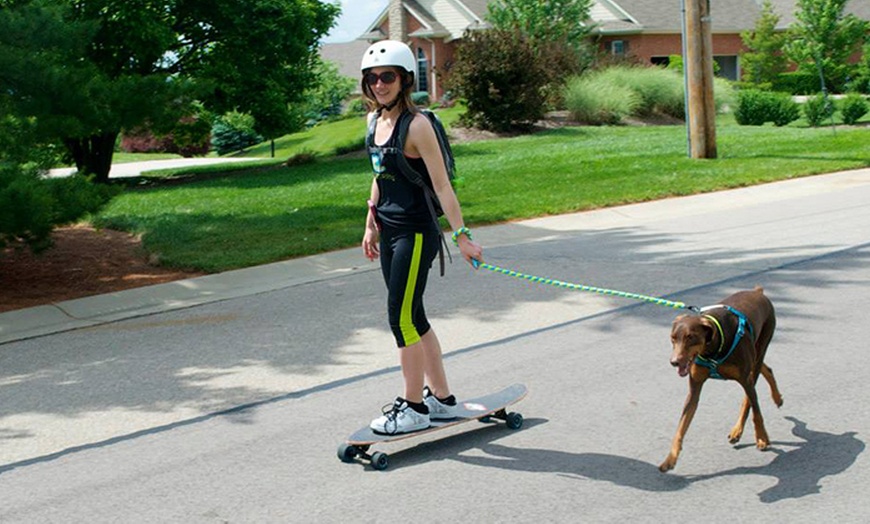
<point>799,467</point>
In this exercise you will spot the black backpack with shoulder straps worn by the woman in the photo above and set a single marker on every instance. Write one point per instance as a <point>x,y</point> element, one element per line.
<point>412,174</point>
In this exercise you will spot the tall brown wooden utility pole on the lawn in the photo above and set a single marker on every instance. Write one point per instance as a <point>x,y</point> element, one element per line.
<point>698,68</point>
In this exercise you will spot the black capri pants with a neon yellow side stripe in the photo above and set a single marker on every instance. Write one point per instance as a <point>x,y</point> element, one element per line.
<point>406,257</point>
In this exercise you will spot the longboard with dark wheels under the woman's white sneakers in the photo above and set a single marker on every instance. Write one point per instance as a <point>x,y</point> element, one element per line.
<point>487,407</point>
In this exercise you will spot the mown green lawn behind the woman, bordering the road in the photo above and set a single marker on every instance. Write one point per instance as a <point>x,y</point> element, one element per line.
<point>253,217</point>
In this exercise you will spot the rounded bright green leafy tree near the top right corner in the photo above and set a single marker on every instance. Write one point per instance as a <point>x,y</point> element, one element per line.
<point>822,39</point>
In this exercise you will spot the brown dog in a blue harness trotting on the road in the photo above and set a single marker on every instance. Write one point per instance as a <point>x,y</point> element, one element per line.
<point>726,341</point>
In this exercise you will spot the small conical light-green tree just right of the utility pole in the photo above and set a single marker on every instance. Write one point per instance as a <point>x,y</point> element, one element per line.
<point>763,62</point>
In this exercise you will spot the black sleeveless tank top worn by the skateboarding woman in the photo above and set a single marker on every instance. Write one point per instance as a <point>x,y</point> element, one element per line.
<point>402,203</point>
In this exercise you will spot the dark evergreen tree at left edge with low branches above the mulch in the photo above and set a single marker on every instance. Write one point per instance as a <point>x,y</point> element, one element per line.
<point>30,204</point>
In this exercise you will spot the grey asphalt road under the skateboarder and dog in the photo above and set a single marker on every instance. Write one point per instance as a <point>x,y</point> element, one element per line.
<point>231,410</point>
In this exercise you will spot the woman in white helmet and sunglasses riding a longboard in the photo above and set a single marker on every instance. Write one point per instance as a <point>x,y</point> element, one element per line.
<point>401,232</point>
